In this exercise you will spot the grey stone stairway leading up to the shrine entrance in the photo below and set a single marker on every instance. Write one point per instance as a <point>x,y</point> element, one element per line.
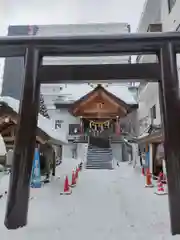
<point>99,155</point>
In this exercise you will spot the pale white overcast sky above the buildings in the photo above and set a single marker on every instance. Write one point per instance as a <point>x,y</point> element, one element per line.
<point>24,12</point>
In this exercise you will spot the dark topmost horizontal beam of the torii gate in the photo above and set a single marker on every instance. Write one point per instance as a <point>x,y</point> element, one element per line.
<point>89,45</point>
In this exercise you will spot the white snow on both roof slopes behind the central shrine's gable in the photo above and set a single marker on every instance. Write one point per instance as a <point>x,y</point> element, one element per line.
<point>73,92</point>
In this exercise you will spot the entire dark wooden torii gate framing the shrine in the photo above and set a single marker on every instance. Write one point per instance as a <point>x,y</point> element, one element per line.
<point>164,45</point>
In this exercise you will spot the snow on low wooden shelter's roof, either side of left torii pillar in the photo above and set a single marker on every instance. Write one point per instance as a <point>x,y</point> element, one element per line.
<point>46,125</point>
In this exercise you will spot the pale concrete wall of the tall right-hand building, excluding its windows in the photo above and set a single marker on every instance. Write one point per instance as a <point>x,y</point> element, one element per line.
<point>149,93</point>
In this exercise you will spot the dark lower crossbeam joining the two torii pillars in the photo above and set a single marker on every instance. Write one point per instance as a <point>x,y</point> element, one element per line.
<point>102,72</point>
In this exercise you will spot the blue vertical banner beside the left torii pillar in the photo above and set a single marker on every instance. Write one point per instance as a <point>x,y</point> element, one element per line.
<point>36,171</point>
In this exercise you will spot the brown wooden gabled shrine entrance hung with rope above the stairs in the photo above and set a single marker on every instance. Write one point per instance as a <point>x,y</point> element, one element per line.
<point>100,112</point>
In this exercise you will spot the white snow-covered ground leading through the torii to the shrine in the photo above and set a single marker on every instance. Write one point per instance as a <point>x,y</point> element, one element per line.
<point>105,205</point>
